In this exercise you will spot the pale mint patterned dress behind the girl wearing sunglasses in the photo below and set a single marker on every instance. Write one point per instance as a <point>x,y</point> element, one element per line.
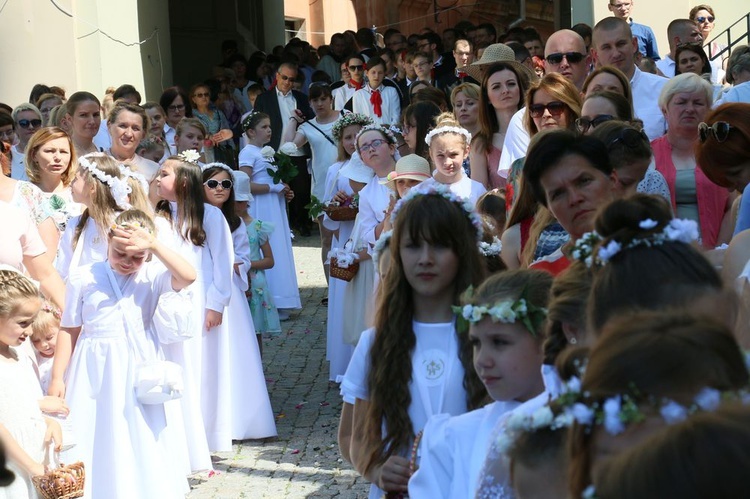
<point>262,308</point>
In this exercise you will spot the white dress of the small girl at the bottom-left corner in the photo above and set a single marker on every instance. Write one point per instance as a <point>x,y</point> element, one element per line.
<point>21,416</point>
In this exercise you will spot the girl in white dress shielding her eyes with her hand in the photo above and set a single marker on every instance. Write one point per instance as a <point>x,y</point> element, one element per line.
<point>108,309</point>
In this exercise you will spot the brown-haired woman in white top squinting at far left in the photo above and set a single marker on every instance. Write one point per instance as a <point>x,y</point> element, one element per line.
<point>50,157</point>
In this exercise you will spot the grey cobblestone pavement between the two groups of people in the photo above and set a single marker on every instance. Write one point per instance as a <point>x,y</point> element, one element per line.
<point>303,461</point>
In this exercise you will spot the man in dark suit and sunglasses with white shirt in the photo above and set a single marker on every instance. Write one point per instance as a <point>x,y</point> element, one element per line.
<point>280,104</point>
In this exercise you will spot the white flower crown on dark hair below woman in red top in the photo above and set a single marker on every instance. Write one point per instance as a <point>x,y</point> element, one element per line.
<point>677,230</point>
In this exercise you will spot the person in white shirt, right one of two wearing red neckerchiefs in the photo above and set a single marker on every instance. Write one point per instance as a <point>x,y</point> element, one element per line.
<point>379,102</point>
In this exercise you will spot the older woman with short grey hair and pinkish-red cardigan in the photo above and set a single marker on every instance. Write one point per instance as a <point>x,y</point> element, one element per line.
<point>685,100</point>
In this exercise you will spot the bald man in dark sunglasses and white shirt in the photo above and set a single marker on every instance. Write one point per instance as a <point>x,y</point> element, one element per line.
<point>564,53</point>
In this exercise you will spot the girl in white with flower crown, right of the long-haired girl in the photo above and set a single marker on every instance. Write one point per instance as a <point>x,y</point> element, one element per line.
<point>507,352</point>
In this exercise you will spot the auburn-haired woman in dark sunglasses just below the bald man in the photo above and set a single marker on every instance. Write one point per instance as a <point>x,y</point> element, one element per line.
<point>551,103</point>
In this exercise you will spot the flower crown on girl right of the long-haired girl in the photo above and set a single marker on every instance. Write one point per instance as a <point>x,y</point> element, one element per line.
<point>503,311</point>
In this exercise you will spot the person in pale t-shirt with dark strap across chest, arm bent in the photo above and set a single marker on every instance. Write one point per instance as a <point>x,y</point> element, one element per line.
<point>318,132</point>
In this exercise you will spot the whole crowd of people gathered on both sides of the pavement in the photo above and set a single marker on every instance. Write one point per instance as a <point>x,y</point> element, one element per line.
<point>537,255</point>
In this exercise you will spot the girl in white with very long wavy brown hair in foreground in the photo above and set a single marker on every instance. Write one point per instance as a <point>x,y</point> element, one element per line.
<point>413,364</point>
